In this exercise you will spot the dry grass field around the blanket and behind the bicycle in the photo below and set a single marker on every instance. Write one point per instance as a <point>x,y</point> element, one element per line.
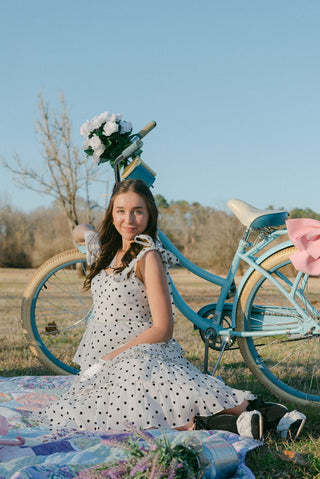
<point>268,461</point>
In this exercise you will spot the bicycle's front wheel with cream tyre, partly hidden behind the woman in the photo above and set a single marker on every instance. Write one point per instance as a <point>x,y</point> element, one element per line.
<point>55,310</point>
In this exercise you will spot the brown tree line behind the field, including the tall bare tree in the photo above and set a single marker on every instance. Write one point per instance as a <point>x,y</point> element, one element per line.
<point>205,235</point>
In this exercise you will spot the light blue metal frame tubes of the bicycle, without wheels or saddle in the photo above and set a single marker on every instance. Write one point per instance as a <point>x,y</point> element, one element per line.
<point>247,253</point>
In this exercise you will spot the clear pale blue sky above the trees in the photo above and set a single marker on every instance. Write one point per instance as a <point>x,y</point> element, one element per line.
<point>233,85</point>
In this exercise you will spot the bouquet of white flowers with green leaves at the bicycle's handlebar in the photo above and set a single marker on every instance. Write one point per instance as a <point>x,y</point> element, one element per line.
<point>106,136</point>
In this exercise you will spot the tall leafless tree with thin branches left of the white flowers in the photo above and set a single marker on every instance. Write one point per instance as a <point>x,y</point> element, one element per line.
<point>65,172</point>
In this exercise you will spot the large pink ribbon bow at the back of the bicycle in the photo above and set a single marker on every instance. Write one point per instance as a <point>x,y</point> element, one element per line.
<point>305,235</point>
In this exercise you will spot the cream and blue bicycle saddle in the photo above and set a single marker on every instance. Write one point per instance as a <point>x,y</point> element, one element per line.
<point>254,217</point>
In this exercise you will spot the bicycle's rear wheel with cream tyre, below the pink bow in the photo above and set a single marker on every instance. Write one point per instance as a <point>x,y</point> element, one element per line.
<point>286,365</point>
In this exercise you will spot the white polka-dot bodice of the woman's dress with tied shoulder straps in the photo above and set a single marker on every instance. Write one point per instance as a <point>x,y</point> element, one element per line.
<point>121,307</point>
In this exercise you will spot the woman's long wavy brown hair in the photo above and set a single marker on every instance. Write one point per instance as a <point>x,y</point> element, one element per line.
<point>111,240</point>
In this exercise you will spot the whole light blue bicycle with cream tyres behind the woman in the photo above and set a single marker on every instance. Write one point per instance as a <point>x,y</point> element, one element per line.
<point>273,313</point>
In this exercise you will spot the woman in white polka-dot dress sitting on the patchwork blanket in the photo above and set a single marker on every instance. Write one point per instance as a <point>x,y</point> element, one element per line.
<point>132,370</point>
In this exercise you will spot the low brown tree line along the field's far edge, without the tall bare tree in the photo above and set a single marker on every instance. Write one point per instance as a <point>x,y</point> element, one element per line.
<point>205,235</point>
